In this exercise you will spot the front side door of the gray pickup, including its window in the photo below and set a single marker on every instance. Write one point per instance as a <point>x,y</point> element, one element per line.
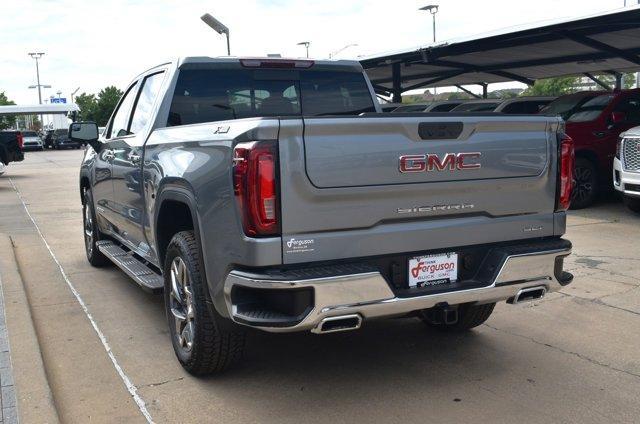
<point>103,179</point>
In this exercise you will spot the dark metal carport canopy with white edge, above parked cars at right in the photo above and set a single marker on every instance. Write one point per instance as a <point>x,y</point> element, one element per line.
<point>607,42</point>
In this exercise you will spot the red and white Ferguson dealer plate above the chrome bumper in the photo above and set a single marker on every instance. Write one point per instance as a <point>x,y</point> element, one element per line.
<point>433,269</point>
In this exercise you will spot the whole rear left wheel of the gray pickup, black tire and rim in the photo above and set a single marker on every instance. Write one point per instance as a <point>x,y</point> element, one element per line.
<point>212,348</point>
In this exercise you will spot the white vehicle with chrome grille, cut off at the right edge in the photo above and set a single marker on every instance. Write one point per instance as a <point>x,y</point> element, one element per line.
<point>626,168</point>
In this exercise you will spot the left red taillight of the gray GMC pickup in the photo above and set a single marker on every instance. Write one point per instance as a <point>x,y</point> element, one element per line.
<point>255,187</point>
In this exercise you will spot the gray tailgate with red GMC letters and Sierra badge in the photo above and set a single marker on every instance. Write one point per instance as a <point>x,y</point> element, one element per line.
<point>372,185</point>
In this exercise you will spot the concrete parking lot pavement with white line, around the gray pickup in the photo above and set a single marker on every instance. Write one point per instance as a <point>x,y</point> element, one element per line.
<point>571,357</point>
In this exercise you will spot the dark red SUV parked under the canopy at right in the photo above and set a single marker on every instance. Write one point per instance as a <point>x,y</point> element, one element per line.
<point>595,120</point>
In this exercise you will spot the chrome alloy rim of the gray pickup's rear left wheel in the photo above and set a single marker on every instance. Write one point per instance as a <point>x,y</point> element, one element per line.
<point>181,304</point>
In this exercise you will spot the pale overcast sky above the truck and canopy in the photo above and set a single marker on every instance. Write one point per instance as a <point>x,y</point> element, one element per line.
<point>91,44</point>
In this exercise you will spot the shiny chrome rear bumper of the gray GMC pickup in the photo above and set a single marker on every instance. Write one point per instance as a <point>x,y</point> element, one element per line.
<point>369,295</point>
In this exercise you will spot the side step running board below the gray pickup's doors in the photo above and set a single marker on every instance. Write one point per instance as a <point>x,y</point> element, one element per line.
<point>139,272</point>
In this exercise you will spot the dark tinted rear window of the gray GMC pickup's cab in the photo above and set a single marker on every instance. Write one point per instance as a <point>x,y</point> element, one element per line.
<point>206,95</point>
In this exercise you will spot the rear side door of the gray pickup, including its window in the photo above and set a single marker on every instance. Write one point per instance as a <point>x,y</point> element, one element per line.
<point>131,217</point>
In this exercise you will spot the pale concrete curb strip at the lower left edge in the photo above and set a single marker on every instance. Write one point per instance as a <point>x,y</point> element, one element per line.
<point>34,396</point>
